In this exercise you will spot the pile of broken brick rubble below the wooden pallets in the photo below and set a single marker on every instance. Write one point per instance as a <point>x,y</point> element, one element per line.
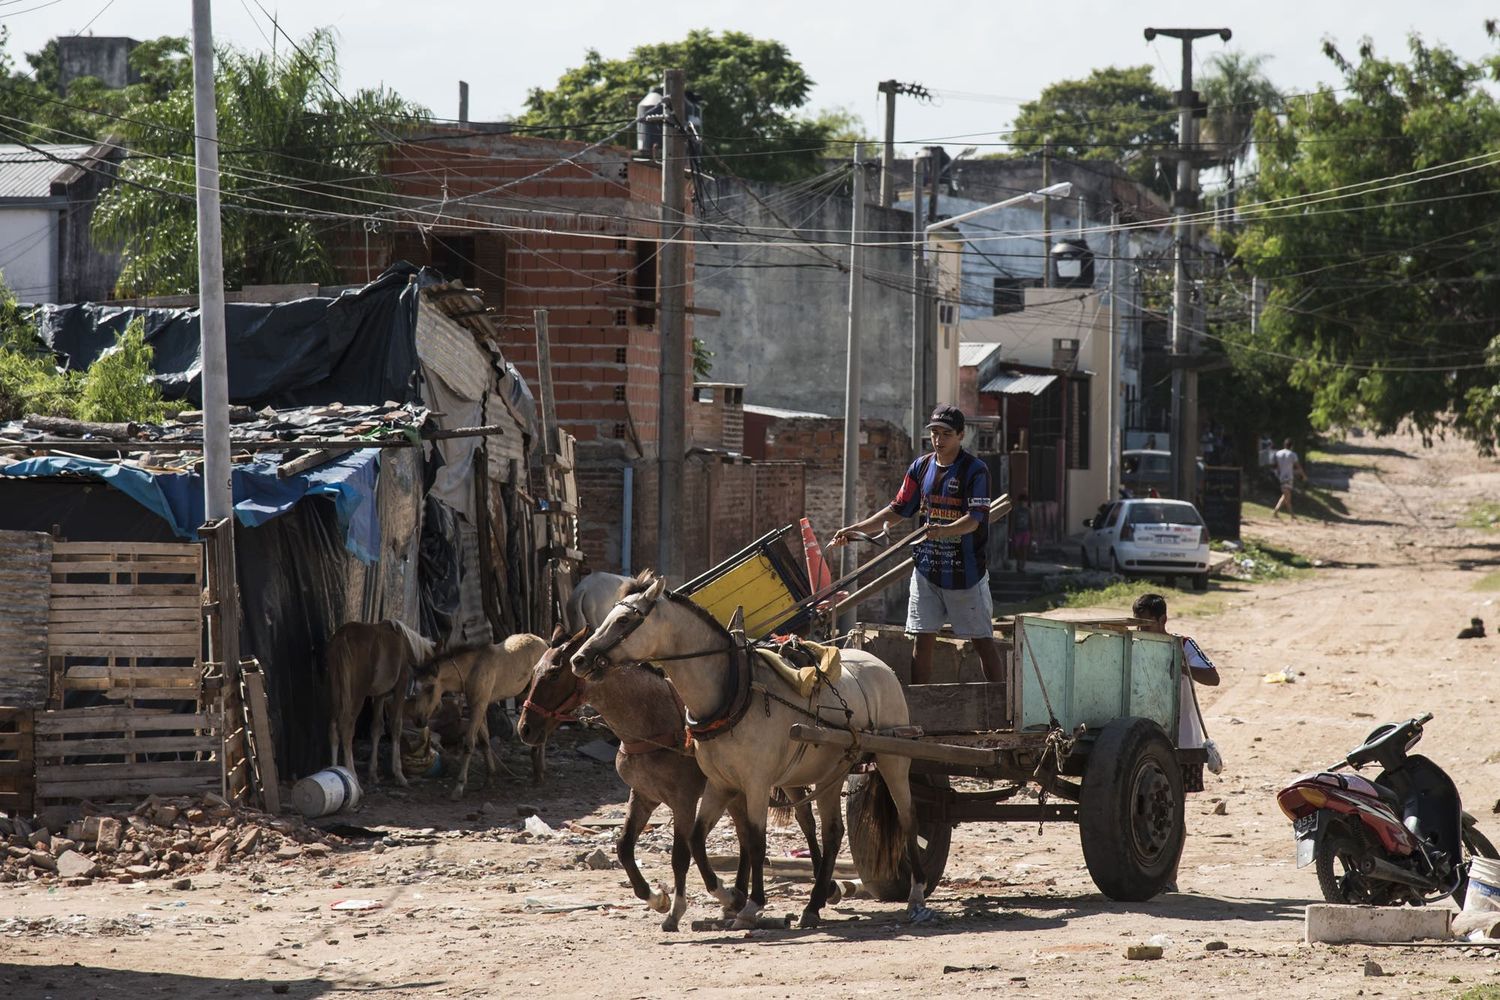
<point>163,837</point>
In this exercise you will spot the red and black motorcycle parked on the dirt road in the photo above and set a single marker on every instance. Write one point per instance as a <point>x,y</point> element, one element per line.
<point>1400,839</point>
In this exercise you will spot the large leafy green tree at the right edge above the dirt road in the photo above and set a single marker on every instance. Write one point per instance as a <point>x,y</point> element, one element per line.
<point>1376,230</point>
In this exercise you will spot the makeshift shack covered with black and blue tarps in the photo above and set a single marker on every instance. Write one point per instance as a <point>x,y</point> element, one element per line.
<point>380,445</point>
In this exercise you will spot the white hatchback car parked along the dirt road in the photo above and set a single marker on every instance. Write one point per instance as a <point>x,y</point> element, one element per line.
<point>1150,537</point>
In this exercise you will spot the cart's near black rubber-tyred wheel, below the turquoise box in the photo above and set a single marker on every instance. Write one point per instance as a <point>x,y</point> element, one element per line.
<point>1132,810</point>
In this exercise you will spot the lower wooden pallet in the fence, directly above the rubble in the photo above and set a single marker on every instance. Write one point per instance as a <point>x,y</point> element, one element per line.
<point>109,753</point>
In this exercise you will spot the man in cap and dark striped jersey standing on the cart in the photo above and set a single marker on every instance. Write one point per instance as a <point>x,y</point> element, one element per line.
<point>949,491</point>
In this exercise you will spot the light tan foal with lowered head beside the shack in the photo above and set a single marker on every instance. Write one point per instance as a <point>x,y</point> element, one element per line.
<point>485,675</point>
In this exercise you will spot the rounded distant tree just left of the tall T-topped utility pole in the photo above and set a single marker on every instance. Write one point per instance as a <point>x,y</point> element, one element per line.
<point>1108,116</point>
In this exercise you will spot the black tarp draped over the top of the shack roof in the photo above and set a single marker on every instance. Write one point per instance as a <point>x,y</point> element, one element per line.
<point>355,349</point>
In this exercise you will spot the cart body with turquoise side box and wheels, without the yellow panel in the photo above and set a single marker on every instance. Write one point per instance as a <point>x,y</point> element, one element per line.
<point>1088,713</point>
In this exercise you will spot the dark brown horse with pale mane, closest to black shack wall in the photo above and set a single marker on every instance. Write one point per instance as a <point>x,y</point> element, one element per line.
<point>371,660</point>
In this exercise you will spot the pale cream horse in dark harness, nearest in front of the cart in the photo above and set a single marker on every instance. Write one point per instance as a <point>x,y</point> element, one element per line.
<point>742,716</point>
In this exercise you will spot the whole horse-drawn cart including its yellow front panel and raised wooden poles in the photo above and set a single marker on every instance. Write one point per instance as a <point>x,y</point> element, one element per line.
<point>1087,713</point>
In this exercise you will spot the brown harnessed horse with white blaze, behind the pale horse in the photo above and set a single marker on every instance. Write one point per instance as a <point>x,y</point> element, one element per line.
<point>643,710</point>
